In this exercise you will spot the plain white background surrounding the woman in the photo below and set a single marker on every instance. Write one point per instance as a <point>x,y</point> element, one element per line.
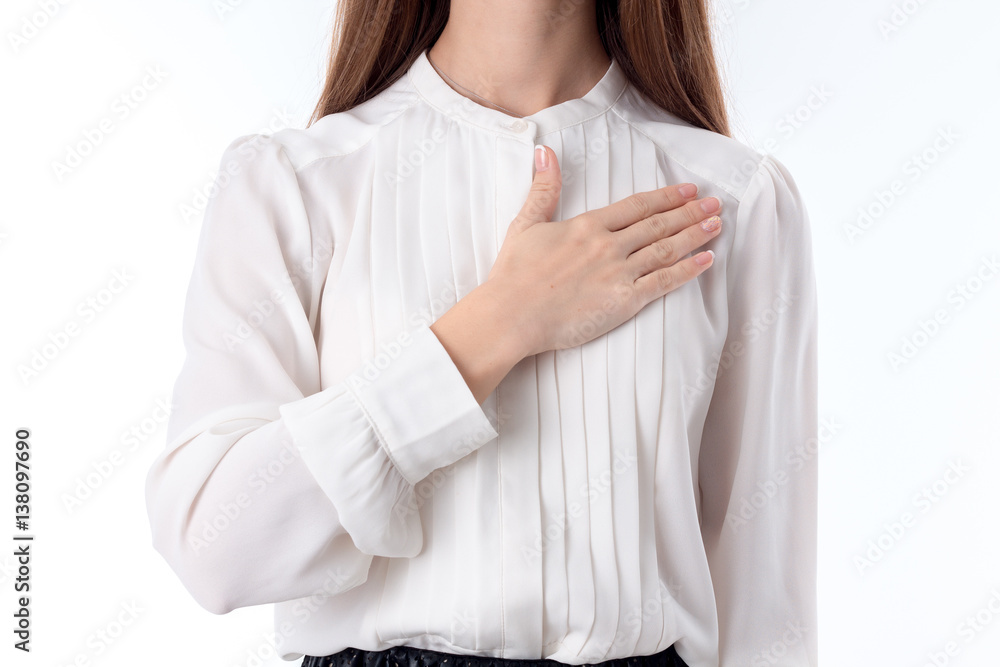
<point>849,106</point>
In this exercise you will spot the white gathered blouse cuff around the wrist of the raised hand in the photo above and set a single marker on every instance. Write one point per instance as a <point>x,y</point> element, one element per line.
<point>368,439</point>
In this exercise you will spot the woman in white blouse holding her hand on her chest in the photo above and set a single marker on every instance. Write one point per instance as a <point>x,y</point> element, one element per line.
<point>449,396</point>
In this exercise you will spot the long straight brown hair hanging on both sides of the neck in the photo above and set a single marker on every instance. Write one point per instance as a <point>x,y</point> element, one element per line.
<point>664,49</point>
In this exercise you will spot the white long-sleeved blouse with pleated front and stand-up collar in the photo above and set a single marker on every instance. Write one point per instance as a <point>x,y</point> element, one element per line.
<point>656,485</point>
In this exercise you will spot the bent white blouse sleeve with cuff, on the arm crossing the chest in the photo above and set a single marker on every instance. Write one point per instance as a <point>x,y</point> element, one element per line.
<point>270,487</point>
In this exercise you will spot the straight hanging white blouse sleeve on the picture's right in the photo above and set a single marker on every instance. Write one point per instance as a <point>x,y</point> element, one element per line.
<point>757,468</point>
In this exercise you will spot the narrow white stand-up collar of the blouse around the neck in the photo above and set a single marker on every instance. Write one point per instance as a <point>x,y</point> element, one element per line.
<point>436,91</point>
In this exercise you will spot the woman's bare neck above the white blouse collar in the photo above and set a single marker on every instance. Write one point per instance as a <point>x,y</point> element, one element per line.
<point>524,55</point>
